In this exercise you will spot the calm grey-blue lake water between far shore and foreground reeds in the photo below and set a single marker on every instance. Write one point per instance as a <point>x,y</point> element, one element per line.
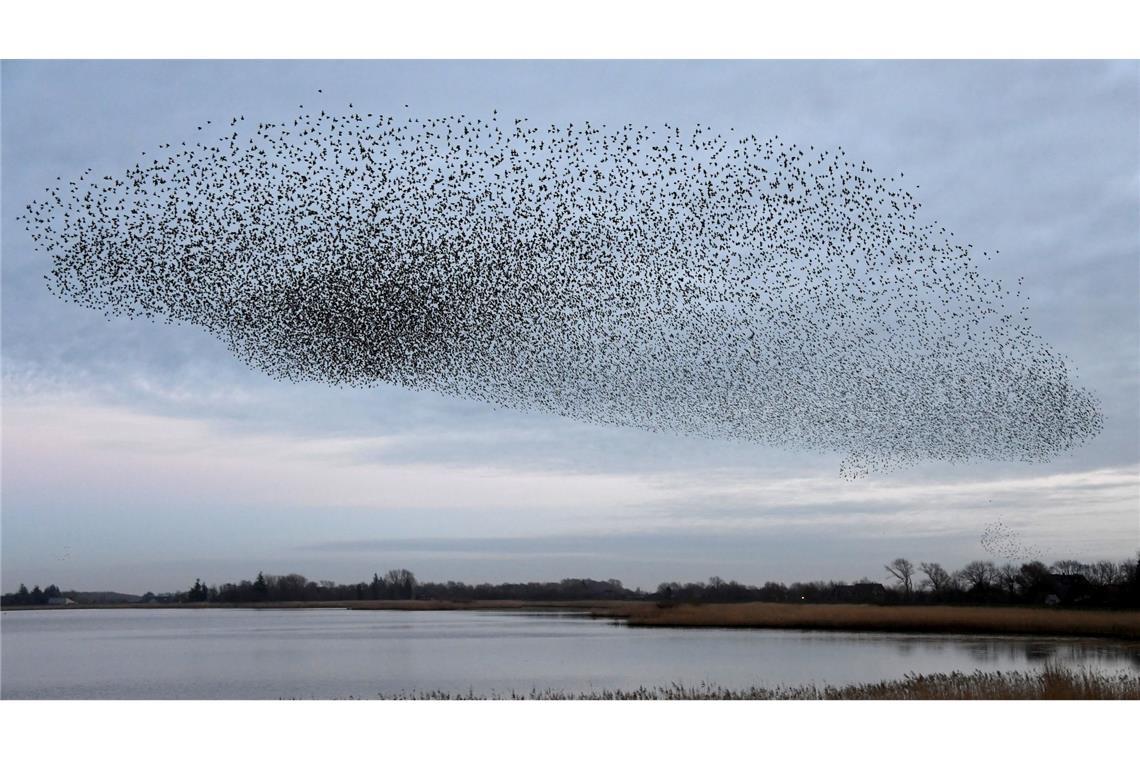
<point>205,655</point>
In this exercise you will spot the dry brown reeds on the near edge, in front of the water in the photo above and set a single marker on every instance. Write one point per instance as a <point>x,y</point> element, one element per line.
<point>1049,684</point>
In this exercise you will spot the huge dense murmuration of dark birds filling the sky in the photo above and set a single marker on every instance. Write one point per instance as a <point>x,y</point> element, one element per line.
<point>673,280</point>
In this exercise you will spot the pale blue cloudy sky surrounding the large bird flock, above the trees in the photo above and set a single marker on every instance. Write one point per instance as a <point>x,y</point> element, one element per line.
<point>142,456</point>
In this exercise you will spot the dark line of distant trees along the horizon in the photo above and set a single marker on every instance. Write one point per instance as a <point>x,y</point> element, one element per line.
<point>1066,584</point>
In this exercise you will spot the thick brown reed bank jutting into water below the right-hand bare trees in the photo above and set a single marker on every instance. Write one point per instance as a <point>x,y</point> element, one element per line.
<point>1112,624</point>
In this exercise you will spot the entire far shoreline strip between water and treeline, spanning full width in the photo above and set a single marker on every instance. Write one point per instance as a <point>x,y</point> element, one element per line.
<point>1119,625</point>
